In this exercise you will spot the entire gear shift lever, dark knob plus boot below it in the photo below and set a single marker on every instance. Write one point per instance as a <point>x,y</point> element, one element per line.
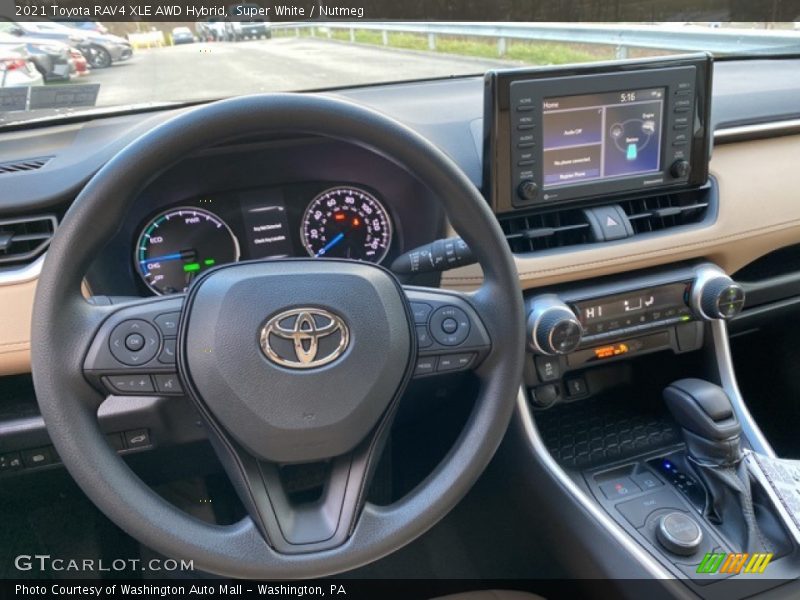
<point>713,440</point>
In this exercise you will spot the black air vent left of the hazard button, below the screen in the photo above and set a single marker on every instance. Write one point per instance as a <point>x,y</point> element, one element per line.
<point>543,231</point>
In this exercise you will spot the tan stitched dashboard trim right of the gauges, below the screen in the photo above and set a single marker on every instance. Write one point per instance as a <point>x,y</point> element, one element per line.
<point>758,212</point>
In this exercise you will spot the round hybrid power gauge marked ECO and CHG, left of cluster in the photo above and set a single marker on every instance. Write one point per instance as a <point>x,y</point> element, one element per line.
<point>179,244</point>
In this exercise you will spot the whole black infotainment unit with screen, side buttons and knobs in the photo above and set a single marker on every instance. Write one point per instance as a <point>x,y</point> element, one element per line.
<point>589,132</point>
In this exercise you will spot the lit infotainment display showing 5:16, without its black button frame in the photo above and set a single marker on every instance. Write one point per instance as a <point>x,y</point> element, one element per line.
<point>601,136</point>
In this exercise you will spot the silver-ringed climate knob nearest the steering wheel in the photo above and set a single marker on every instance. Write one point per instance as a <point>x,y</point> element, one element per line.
<point>553,327</point>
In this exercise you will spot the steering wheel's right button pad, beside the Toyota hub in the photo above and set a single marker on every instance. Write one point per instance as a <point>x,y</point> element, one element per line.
<point>451,335</point>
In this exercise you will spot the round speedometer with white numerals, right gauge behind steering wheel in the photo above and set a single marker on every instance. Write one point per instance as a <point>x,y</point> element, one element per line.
<point>347,223</point>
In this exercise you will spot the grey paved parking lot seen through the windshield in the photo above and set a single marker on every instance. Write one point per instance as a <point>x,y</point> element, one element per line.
<point>197,71</point>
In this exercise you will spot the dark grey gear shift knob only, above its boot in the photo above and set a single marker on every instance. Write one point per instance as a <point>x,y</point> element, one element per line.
<point>710,427</point>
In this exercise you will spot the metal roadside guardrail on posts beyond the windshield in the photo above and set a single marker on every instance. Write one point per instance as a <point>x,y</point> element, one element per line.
<point>689,38</point>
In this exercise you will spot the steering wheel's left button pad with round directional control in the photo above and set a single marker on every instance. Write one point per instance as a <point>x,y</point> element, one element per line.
<point>133,352</point>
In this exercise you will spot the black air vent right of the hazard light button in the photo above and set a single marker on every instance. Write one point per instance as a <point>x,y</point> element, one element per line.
<point>664,212</point>
